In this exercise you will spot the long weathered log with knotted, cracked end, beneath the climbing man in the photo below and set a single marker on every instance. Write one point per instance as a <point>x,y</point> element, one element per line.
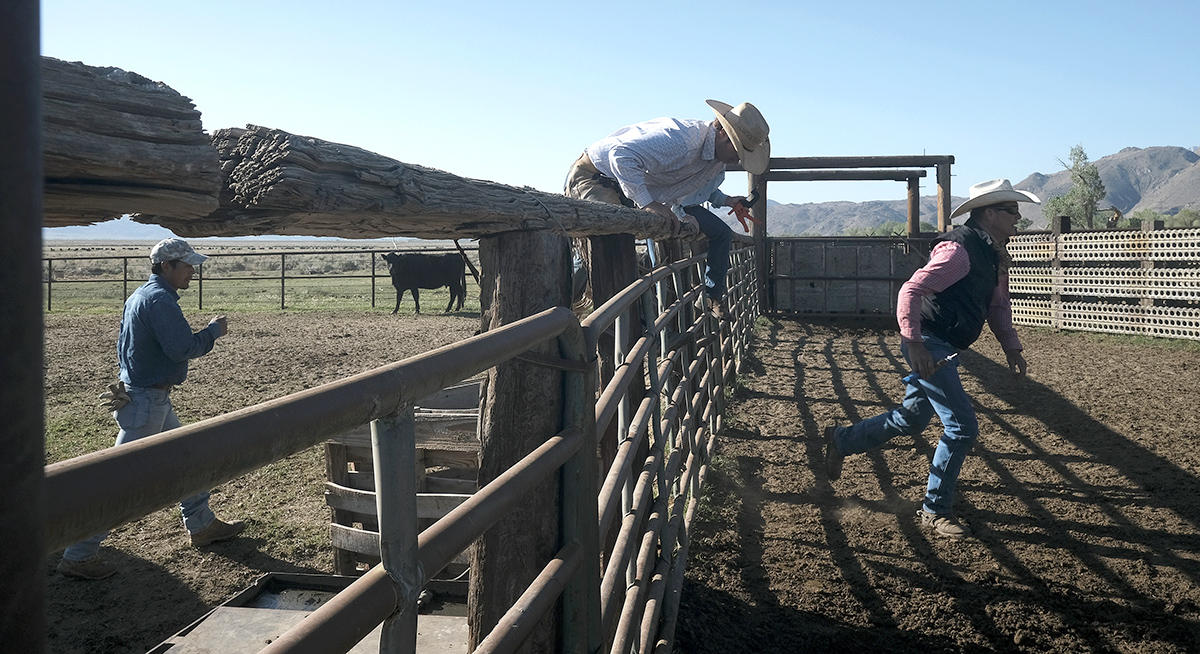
<point>277,183</point>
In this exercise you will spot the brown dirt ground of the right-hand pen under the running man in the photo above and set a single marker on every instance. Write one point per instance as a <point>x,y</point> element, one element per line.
<point>1083,491</point>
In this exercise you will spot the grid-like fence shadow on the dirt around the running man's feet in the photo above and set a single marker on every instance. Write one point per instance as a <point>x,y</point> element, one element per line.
<point>1071,579</point>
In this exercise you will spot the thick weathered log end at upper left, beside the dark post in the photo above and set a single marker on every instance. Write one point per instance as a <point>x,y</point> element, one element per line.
<point>118,143</point>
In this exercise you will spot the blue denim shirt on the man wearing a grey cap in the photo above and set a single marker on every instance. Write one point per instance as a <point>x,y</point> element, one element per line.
<point>157,341</point>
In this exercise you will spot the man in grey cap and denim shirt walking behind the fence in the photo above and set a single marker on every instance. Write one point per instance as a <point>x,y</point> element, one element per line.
<point>154,347</point>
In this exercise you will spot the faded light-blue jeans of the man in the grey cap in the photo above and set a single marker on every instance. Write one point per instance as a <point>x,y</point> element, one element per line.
<point>148,413</point>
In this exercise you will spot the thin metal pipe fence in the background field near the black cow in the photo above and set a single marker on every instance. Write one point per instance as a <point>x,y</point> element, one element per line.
<point>69,271</point>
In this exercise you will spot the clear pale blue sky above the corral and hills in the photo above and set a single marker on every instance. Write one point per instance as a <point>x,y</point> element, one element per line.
<point>513,92</point>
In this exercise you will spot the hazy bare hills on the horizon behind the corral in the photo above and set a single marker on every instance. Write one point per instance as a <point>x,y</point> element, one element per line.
<point>1163,179</point>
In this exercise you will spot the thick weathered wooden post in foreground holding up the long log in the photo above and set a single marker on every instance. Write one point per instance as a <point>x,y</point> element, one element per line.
<point>521,406</point>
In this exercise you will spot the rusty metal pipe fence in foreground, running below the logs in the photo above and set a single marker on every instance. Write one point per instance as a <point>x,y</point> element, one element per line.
<point>680,367</point>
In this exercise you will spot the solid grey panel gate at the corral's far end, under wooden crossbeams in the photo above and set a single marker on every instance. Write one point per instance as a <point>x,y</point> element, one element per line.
<point>848,277</point>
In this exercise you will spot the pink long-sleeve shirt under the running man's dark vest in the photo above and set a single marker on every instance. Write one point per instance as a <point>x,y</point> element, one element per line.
<point>949,263</point>
